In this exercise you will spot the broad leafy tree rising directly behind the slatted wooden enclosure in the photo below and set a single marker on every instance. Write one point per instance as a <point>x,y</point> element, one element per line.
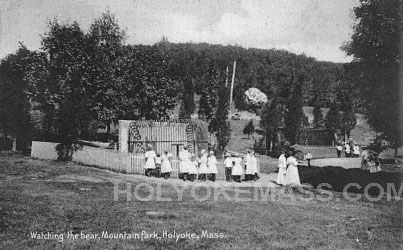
<point>146,90</point>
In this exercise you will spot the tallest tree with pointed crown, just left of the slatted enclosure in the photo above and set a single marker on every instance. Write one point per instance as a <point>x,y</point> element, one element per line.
<point>105,67</point>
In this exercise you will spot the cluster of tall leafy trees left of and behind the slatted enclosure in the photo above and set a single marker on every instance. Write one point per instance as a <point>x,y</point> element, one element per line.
<point>80,77</point>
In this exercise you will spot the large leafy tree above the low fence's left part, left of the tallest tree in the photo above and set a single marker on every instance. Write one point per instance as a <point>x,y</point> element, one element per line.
<point>58,83</point>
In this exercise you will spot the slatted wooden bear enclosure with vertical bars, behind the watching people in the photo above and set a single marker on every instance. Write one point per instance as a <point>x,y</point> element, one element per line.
<point>170,135</point>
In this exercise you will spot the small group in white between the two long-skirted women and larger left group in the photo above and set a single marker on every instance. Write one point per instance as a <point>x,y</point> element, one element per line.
<point>234,169</point>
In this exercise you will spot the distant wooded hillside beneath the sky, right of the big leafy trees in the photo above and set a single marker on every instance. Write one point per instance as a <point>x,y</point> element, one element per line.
<point>264,69</point>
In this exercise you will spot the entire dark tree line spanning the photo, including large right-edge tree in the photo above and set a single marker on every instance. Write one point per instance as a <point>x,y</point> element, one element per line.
<point>78,78</point>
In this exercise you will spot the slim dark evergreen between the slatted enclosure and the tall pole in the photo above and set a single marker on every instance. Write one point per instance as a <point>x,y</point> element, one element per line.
<point>220,124</point>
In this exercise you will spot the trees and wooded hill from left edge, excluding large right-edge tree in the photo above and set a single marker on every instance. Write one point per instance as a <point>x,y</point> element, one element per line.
<point>79,77</point>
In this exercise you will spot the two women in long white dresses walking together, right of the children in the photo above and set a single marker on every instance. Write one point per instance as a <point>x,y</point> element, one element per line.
<point>288,170</point>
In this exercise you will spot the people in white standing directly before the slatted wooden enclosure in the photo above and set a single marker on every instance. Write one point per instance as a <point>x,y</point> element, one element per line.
<point>190,166</point>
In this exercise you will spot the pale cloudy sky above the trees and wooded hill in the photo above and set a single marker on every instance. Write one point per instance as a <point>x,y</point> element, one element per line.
<point>315,27</point>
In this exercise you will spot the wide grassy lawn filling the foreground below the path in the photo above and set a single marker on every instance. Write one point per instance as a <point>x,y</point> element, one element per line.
<point>46,196</point>
